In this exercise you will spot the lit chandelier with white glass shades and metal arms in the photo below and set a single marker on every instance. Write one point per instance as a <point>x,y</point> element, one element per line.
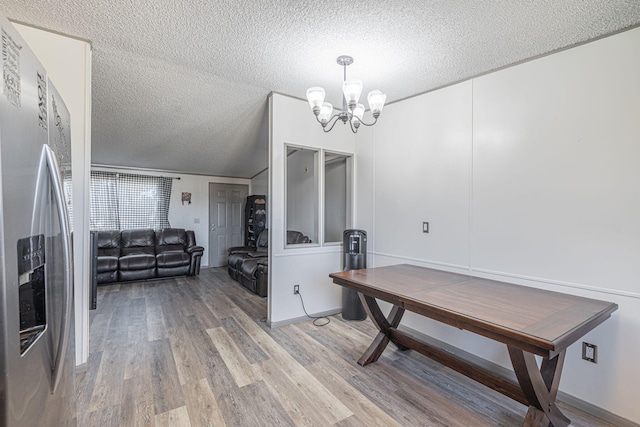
<point>352,112</point>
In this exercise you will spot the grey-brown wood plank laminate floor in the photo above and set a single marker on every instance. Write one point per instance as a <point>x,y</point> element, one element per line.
<point>195,351</point>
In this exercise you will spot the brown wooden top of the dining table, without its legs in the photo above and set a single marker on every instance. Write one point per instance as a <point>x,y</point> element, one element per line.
<point>536,320</point>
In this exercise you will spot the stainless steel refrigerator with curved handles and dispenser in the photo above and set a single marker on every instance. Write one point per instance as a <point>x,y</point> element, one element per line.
<point>37,355</point>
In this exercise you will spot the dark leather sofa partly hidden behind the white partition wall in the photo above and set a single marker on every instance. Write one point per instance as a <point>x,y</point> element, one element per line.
<point>250,266</point>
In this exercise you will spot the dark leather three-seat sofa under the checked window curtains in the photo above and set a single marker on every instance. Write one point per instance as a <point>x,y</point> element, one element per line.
<point>142,254</point>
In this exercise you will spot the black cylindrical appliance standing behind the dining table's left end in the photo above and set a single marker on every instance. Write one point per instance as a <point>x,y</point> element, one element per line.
<point>354,244</point>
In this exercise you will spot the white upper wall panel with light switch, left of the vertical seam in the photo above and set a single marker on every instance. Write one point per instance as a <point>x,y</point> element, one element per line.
<point>422,170</point>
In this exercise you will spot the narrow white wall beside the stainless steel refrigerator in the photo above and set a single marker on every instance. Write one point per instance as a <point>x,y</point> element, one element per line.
<point>68,64</point>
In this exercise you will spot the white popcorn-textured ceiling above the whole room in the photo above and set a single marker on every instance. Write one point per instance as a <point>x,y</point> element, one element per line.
<point>182,85</point>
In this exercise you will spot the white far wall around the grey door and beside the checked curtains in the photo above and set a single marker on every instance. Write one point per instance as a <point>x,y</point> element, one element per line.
<point>194,216</point>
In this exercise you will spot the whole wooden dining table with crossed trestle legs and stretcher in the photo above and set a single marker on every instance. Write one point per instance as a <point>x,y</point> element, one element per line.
<point>530,321</point>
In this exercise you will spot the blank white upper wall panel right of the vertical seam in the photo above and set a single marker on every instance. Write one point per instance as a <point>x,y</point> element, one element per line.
<point>555,160</point>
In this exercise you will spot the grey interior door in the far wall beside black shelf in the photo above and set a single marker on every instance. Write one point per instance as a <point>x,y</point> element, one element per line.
<point>226,209</point>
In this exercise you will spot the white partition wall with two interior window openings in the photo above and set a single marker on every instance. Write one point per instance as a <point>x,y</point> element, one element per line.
<point>291,122</point>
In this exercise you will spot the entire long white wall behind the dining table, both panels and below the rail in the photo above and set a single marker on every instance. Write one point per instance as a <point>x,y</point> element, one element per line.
<point>528,175</point>
